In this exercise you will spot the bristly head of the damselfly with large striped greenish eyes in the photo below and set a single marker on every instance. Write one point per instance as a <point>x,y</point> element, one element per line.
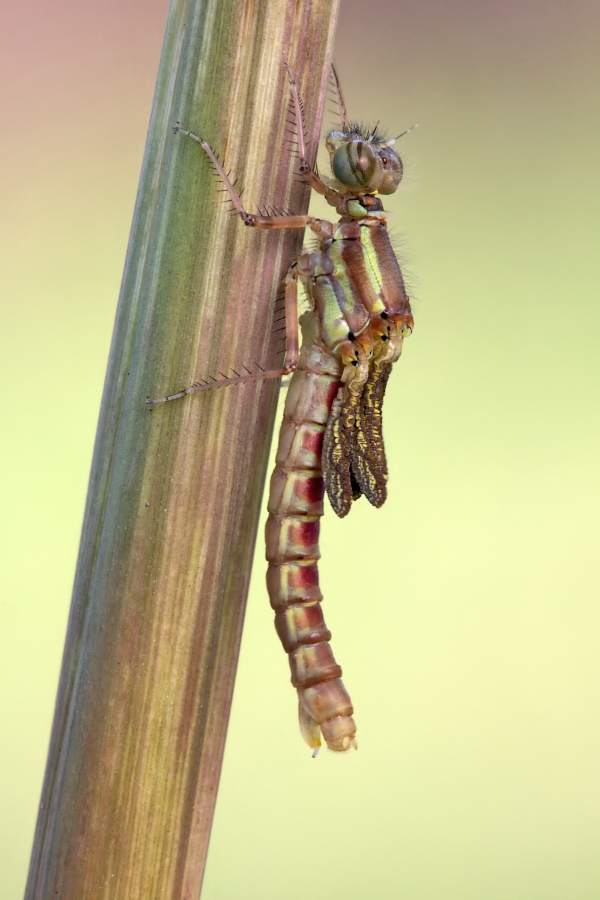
<point>362,160</point>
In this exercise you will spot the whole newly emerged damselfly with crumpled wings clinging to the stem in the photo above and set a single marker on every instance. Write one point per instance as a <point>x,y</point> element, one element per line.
<point>330,438</point>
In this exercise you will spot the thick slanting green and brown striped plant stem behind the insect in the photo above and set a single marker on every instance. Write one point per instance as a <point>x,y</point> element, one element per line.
<point>174,497</point>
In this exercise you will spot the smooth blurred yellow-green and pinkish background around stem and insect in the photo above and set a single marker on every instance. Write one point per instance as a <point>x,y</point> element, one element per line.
<point>465,613</point>
